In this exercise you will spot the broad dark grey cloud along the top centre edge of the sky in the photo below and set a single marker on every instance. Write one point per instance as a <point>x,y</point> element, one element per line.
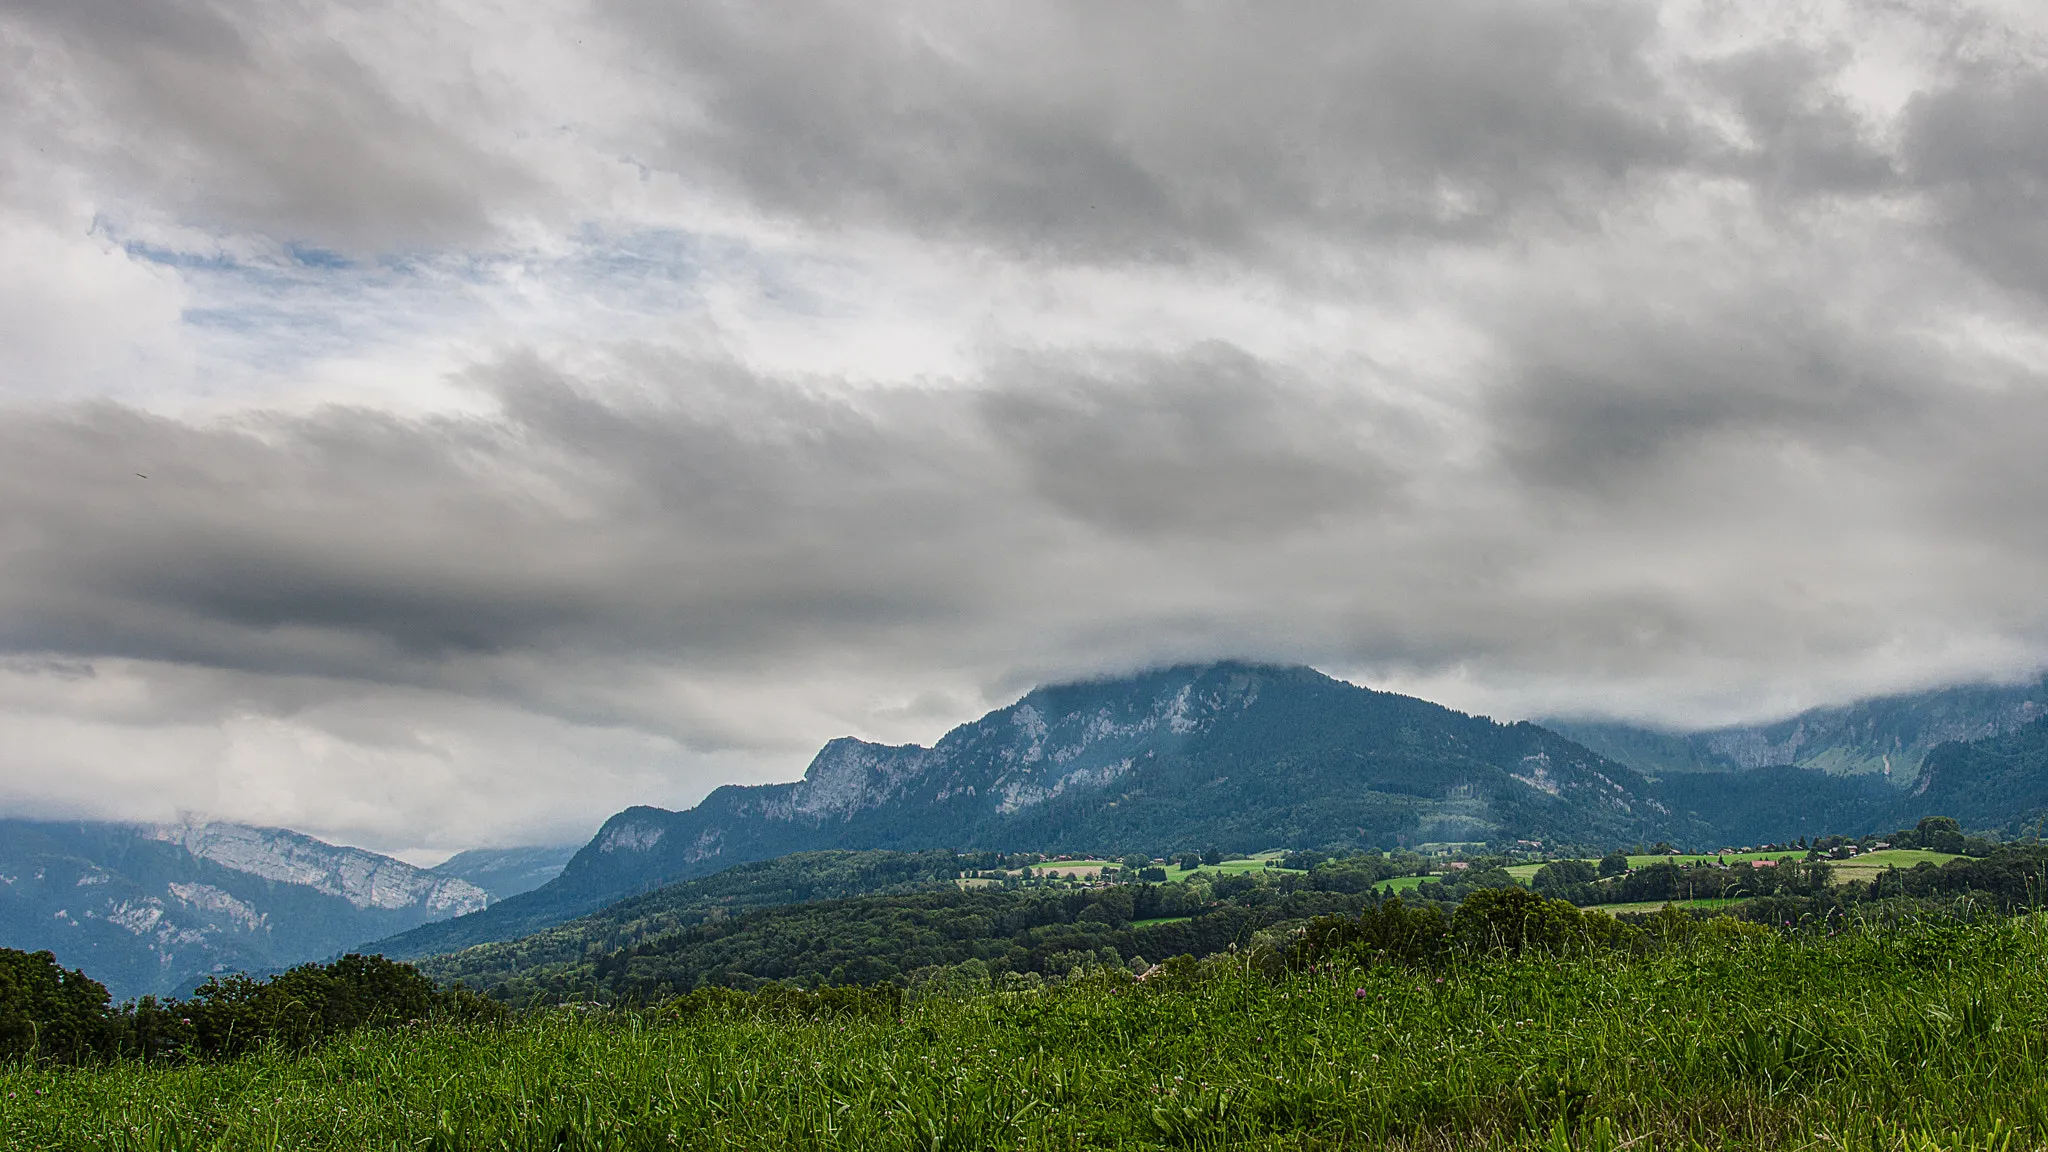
<point>1103,132</point>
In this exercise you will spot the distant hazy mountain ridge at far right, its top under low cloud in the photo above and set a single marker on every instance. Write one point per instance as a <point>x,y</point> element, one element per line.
<point>1885,737</point>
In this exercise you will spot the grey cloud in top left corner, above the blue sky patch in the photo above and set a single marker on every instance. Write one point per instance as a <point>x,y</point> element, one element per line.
<point>253,118</point>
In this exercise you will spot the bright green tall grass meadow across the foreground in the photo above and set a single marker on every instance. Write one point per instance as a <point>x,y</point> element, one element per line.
<point>1906,1038</point>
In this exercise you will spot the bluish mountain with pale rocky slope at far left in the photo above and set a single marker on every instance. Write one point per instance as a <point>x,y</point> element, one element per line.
<point>151,909</point>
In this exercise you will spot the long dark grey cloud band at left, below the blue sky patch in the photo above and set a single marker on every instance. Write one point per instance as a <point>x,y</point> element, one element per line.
<point>359,544</point>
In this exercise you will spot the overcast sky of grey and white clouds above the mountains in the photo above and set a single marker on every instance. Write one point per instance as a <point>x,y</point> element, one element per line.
<point>435,425</point>
